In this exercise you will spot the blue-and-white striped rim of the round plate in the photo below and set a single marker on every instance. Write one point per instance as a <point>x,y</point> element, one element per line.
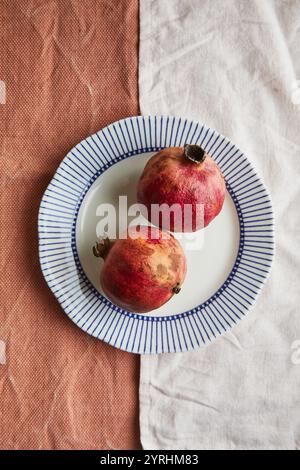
<point>94,313</point>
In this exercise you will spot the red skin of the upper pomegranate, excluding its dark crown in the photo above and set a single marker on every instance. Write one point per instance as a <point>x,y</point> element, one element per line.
<point>171,178</point>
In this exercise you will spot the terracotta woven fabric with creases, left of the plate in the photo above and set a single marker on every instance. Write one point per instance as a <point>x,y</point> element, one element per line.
<point>69,67</point>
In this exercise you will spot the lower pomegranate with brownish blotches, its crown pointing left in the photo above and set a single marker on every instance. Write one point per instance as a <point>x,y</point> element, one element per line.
<point>143,269</point>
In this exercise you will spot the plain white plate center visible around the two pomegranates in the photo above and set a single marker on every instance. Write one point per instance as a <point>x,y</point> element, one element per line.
<point>210,253</point>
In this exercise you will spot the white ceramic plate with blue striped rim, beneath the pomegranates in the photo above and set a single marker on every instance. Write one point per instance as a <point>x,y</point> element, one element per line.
<point>228,261</point>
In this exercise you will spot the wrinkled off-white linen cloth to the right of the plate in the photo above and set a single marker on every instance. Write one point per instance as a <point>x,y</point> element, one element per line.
<point>235,66</point>
